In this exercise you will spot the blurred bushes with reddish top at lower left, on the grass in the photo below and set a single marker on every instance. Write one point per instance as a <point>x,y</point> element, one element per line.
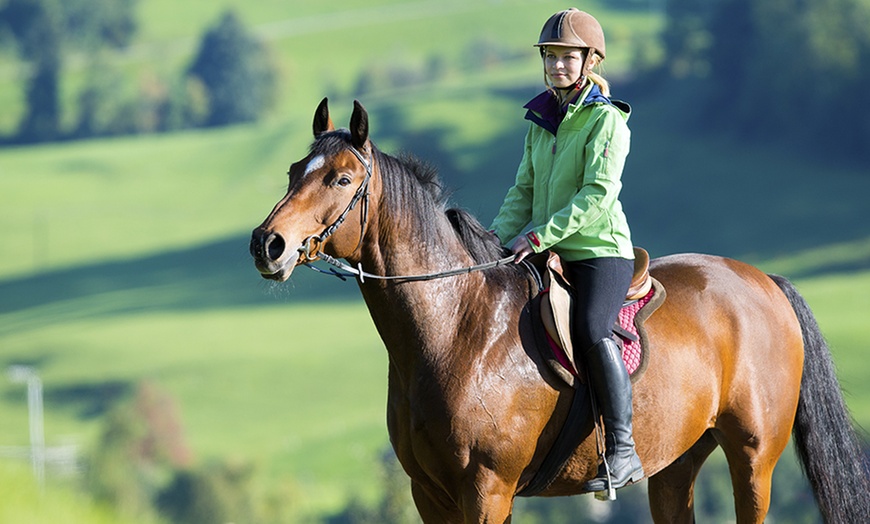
<point>143,468</point>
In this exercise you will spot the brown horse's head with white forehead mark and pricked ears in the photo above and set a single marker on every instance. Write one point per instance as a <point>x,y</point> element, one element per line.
<point>320,212</point>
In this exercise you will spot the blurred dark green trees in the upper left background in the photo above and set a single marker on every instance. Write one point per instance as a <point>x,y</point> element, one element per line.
<point>231,79</point>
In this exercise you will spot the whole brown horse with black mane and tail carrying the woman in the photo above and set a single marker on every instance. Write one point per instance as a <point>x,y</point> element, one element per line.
<point>472,410</point>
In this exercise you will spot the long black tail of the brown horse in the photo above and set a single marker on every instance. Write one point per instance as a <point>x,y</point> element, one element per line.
<point>827,445</point>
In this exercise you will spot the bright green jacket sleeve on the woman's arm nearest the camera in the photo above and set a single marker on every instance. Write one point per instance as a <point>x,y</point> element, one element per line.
<point>599,183</point>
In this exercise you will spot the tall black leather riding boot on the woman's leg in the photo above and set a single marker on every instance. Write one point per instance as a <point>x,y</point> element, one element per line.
<point>612,389</point>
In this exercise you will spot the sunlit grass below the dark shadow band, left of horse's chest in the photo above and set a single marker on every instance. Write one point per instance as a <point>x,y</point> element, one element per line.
<point>301,405</point>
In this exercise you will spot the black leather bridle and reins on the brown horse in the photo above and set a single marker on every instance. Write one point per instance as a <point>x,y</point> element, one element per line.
<point>310,248</point>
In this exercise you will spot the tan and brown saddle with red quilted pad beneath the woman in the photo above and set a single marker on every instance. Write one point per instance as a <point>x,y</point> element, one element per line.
<point>554,303</point>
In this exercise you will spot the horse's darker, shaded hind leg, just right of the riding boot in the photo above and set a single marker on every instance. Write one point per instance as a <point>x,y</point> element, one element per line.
<point>672,490</point>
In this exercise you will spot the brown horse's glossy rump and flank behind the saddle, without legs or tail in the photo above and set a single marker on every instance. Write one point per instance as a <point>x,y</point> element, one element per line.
<point>726,350</point>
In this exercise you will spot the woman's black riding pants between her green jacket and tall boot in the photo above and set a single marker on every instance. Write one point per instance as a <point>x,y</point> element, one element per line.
<point>600,285</point>
